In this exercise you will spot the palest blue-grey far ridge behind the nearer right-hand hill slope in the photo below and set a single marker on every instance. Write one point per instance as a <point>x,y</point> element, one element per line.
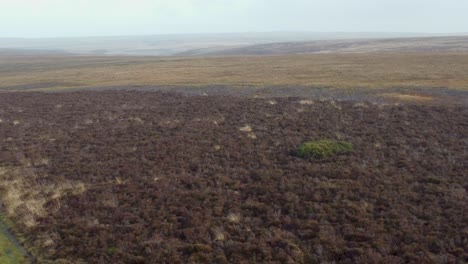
<point>196,44</point>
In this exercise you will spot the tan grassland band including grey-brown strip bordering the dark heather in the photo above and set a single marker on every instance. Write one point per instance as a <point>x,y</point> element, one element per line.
<point>436,78</point>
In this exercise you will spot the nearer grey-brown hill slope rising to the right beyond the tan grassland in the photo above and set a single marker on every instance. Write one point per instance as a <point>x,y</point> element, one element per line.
<point>419,44</point>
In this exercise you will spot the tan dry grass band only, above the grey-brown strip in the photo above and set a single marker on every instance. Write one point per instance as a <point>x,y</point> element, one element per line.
<point>383,70</point>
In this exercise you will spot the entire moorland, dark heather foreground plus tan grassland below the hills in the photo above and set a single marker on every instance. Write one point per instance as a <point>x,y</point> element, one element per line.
<point>199,159</point>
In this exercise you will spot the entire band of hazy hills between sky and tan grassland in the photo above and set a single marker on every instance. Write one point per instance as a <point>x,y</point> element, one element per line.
<point>263,43</point>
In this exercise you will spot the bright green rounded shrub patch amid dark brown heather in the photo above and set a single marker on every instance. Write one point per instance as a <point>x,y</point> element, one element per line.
<point>323,148</point>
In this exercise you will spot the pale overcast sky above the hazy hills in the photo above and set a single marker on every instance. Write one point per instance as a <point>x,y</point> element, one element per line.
<point>59,18</point>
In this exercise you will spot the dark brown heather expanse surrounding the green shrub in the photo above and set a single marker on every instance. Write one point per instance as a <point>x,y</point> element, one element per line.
<point>153,177</point>
